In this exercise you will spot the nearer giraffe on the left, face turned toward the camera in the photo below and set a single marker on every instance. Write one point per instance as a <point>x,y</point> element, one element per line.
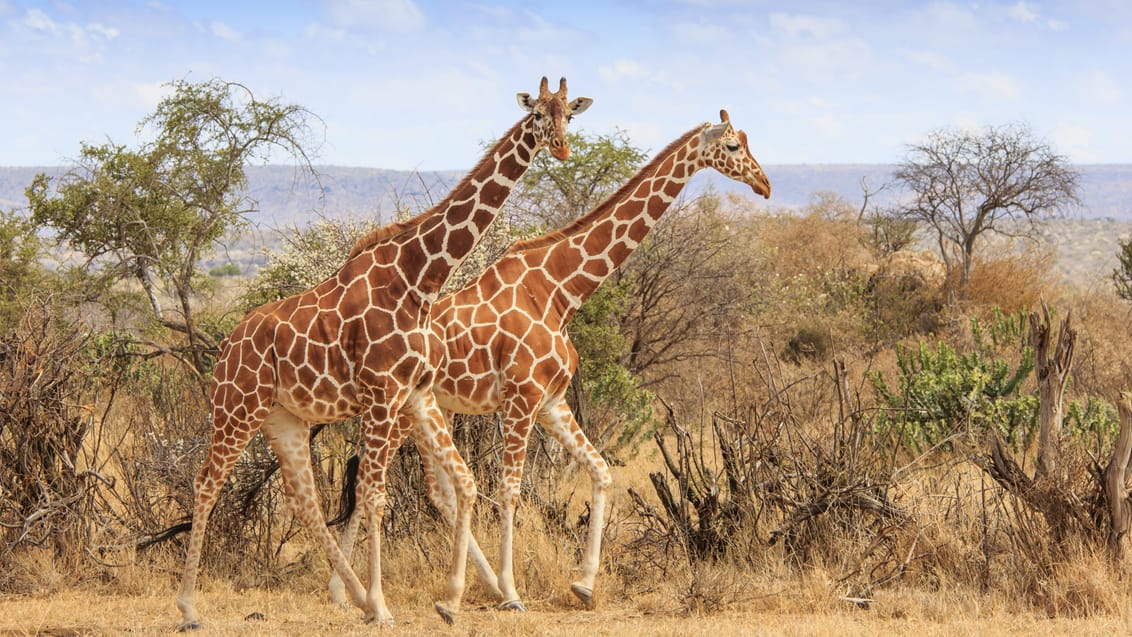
<point>359,345</point>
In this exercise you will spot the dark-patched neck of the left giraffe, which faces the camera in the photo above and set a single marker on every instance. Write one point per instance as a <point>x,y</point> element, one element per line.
<point>435,243</point>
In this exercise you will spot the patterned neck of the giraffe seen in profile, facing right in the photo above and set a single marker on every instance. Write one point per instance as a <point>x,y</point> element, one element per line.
<point>582,255</point>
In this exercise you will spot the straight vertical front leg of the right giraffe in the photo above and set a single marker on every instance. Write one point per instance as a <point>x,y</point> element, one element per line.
<point>518,421</point>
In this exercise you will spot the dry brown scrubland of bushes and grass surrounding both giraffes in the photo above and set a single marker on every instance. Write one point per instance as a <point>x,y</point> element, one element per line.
<point>813,424</point>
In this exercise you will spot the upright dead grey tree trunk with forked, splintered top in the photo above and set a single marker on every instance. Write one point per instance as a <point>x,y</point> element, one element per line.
<point>1052,367</point>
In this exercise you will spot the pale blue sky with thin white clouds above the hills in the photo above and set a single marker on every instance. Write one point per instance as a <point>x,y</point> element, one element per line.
<point>415,84</point>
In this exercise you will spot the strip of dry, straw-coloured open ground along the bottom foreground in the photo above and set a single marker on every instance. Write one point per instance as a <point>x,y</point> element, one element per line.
<point>79,613</point>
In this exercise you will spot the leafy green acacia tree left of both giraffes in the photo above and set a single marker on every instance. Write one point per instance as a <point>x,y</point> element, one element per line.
<point>152,213</point>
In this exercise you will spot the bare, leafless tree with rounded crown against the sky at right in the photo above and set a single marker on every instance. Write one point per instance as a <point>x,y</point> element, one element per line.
<point>965,185</point>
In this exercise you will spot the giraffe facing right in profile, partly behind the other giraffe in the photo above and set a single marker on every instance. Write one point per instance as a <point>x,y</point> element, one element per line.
<point>505,341</point>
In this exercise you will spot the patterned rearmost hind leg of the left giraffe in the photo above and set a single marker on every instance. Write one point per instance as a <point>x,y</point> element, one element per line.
<point>224,452</point>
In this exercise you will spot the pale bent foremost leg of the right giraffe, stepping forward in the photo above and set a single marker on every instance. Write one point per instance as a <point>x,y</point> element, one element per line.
<point>559,421</point>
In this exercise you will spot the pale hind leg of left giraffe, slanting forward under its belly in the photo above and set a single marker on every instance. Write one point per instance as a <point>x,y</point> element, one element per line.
<point>290,440</point>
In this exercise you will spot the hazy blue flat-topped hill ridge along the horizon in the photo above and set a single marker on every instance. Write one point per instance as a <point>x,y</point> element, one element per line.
<point>288,197</point>
